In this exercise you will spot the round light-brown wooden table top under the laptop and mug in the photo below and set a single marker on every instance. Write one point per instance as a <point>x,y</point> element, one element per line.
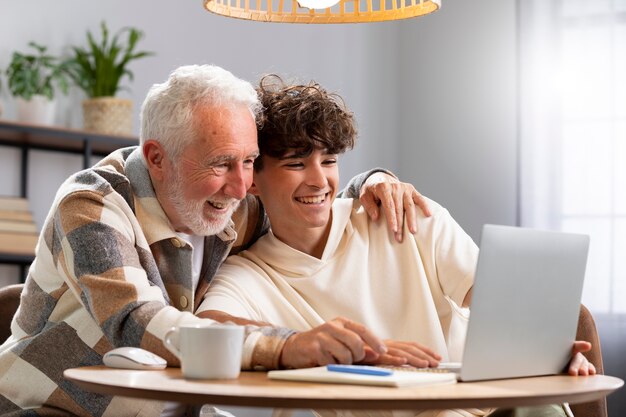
<point>255,390</point>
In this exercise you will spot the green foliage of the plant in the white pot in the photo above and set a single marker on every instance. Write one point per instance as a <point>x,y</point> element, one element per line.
<point>36,74</point>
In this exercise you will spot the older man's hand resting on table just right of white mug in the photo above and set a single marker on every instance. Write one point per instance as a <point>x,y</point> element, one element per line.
<point>337,341</point>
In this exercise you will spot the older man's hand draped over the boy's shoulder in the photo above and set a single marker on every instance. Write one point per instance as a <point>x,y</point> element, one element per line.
<point>396,199</point>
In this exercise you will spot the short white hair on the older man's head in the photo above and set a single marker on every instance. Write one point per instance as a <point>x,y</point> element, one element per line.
<point>167,112</point>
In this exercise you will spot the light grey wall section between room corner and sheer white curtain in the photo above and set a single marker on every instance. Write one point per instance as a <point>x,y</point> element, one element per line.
<point>457,140</point>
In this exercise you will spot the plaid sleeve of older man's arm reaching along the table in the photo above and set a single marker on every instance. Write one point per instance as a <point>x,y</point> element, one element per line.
<point>99,247</point>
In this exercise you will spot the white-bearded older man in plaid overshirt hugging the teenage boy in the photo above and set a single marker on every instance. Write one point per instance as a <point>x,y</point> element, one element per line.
<point>130,246</point>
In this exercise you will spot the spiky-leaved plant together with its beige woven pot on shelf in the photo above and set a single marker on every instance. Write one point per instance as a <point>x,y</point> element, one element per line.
<point>98,70</point>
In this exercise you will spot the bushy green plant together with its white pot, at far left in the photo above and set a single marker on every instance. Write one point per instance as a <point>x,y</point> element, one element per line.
<point>33,79</point>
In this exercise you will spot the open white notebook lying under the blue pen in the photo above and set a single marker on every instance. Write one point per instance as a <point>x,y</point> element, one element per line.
<point>396,379</point>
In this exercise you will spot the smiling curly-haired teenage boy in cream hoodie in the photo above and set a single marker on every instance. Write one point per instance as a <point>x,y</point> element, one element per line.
<point>324,258</point>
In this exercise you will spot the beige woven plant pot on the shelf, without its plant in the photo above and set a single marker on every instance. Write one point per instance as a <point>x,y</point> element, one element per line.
<point>108,115</point>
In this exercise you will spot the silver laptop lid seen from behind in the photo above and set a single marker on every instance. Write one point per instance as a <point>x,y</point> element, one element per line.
<point>525,303</point>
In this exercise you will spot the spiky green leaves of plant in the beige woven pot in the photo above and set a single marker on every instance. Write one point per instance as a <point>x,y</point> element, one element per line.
<point>99,68</point>
